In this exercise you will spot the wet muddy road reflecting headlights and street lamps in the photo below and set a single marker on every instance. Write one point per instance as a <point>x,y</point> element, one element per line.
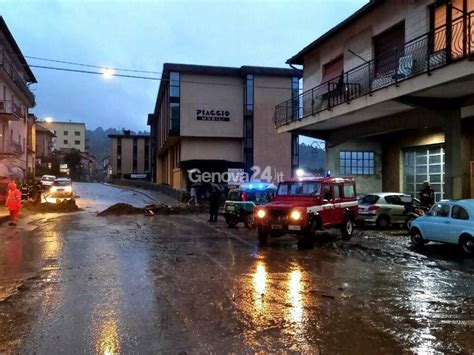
<point>175,283</point>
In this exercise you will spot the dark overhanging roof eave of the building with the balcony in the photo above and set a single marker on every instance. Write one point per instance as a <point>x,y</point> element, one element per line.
<point>298,58</point>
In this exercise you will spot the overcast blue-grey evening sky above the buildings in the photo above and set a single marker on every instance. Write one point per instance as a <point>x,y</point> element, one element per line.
<point>144,35</point>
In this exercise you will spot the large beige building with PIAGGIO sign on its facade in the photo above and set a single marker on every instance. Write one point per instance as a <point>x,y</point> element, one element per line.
<point>216,119</point>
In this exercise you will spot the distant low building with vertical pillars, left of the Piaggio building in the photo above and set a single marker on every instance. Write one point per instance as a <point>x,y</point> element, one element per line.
<point>130,156</point>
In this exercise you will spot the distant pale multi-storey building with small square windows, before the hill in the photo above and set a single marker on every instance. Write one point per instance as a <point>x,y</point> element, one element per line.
<point>69,135</point>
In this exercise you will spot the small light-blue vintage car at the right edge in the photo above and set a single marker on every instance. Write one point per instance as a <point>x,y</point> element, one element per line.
<point>447,222</point>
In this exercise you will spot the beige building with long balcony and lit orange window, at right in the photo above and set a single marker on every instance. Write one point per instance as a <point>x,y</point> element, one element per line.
<point>391,91</point>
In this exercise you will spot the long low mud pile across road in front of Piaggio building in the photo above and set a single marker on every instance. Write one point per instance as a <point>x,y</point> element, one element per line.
<point>120,209</point>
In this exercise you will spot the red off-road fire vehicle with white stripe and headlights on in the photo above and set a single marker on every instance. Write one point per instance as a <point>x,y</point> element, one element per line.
<point>304,206</point>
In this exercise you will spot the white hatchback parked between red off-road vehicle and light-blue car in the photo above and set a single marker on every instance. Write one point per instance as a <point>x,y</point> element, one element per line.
<point>388,208</point>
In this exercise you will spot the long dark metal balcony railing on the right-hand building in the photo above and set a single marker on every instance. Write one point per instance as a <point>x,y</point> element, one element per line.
<point>430,51</point>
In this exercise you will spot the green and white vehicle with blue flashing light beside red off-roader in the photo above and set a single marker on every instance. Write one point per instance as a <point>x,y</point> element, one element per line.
<point>240,203</point>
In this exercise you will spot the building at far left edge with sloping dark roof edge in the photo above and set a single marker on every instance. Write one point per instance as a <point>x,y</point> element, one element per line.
<point>15,101</point>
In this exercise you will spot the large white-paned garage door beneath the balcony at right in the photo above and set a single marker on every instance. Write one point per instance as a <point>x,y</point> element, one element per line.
<point>424,164</point>
